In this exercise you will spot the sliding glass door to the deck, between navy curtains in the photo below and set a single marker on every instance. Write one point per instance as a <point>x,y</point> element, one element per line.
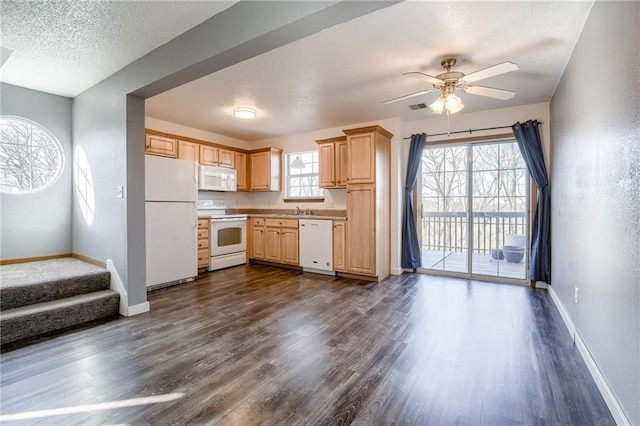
<point>474,200</point>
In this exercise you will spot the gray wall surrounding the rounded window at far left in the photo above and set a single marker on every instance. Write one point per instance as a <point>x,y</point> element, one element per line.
<point>38,224</point>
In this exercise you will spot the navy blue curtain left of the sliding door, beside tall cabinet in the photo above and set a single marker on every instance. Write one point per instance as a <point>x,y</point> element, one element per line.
<point>411,257</point>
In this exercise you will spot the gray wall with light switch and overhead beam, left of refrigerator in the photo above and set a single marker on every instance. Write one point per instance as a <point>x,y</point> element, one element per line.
<point>108,119</point>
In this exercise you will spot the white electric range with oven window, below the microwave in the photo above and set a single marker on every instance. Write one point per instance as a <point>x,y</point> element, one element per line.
<point>227,235</point>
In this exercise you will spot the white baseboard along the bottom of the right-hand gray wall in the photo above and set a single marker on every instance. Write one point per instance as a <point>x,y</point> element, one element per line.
<point>603,386</point>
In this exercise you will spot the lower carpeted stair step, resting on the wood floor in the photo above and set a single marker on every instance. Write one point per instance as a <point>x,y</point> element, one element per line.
<point>28,321</point>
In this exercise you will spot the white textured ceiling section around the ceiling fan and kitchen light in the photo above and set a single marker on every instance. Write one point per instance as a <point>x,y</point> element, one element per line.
<point>341,75</point>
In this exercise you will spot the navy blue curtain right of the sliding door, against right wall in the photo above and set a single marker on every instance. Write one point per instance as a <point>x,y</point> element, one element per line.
<point>528,138</point>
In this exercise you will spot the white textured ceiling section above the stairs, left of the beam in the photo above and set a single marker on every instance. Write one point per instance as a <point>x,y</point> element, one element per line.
<point>66,46</point>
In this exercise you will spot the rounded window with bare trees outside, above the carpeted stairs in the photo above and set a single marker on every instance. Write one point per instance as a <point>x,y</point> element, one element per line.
<point>31,158</point>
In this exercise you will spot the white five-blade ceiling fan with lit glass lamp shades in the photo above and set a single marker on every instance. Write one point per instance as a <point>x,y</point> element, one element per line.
<point>450,80</point>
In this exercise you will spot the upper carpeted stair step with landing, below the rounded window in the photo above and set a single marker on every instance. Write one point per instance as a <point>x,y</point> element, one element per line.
<point>44,281</point>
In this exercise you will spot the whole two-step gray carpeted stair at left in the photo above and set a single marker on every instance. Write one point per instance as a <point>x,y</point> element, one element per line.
<point>40,297</point>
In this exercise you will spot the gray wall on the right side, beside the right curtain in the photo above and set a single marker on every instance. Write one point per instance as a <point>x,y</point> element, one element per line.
<point>595,132</point>
